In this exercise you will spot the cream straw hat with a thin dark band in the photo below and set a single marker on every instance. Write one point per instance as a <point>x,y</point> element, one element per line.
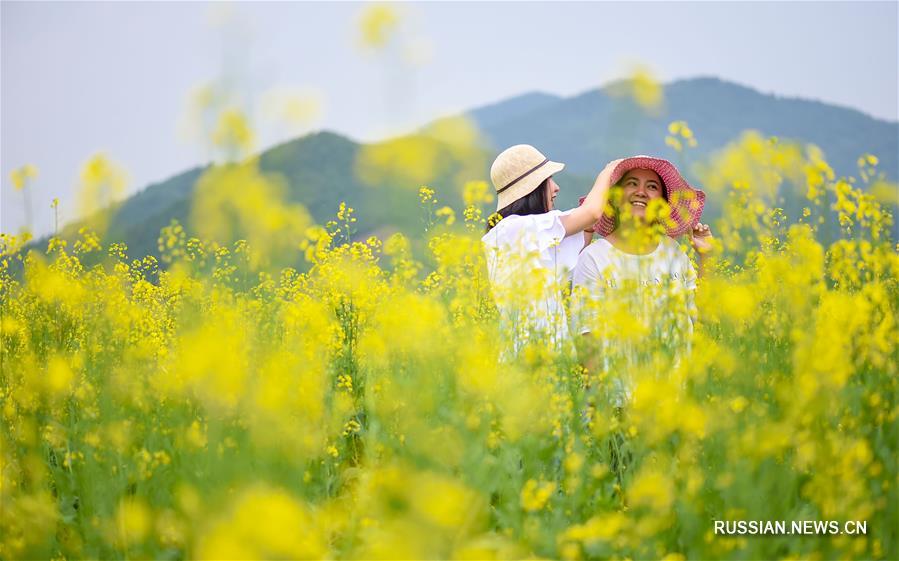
<point>519,170</point>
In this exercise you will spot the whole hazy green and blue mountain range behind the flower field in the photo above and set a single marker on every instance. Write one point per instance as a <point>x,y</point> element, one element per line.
<point>584,131</point>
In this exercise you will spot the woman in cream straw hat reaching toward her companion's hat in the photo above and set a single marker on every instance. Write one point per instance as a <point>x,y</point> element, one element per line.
<point>530,246</point>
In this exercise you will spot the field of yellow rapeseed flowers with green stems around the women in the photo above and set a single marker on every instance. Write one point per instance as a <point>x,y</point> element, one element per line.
<point>217,405</point>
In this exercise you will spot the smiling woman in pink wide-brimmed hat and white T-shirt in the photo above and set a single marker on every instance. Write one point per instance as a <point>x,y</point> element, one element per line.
<point>637,267</point>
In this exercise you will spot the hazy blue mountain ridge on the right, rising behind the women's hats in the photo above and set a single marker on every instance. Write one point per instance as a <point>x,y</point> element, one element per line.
<point>592,127</point>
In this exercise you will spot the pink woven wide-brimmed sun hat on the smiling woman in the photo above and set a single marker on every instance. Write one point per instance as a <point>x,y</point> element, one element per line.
<point>686,202</point>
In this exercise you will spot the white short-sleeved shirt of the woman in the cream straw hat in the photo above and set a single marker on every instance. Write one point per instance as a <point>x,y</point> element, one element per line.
<point>529,259</point>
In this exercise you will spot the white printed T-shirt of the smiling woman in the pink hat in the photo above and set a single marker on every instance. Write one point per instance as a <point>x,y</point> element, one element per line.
<point>648,298</point>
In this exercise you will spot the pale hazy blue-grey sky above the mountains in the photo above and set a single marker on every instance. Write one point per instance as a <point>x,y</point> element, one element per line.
<point>78,78</point>
